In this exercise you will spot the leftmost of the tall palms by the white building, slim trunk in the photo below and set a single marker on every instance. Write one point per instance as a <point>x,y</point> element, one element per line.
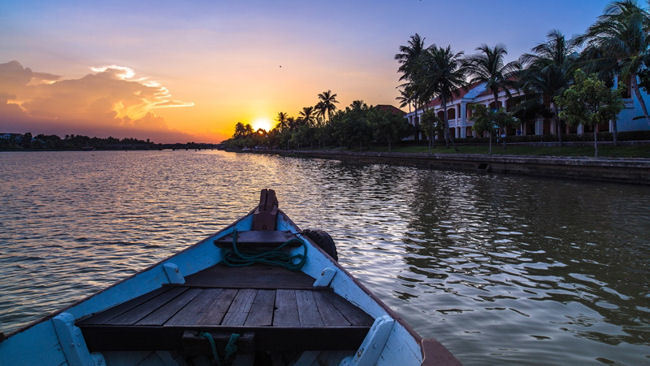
<point>409,58</point>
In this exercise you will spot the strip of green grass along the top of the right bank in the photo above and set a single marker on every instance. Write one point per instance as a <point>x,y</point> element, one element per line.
<point>624,151</point>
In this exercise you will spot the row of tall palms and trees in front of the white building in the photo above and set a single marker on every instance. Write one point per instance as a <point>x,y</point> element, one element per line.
<point>567,80</point>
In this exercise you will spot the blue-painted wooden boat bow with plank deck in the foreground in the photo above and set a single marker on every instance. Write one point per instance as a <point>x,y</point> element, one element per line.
<point>192,309</point>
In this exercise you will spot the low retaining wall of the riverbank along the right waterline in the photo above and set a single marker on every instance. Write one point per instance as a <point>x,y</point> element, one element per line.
<point>619,170</point>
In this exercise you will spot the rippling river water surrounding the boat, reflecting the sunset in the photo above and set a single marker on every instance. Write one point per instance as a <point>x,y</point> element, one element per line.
<point>500,269</point>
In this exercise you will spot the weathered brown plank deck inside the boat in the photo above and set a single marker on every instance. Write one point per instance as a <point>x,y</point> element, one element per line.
<point>289,317</point>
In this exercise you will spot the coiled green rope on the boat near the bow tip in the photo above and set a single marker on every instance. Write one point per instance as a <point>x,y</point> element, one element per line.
<point>275,257</point>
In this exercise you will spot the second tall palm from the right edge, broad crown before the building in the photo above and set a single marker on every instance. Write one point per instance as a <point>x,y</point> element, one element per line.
<point>549,70</point>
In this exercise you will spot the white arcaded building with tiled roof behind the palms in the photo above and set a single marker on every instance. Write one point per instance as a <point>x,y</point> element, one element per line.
<point>459,114</point>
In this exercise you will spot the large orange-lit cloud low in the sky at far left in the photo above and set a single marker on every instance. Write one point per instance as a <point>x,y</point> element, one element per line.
<point>110,99</point>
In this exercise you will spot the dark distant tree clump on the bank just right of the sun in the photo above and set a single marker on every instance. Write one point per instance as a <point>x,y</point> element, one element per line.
<point>356,126</point>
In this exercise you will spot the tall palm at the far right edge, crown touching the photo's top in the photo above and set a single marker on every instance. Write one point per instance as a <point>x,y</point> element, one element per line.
<point>621,33</point>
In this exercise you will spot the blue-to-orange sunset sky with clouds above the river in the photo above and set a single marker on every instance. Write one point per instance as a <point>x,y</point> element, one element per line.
<point>188,71</point>
